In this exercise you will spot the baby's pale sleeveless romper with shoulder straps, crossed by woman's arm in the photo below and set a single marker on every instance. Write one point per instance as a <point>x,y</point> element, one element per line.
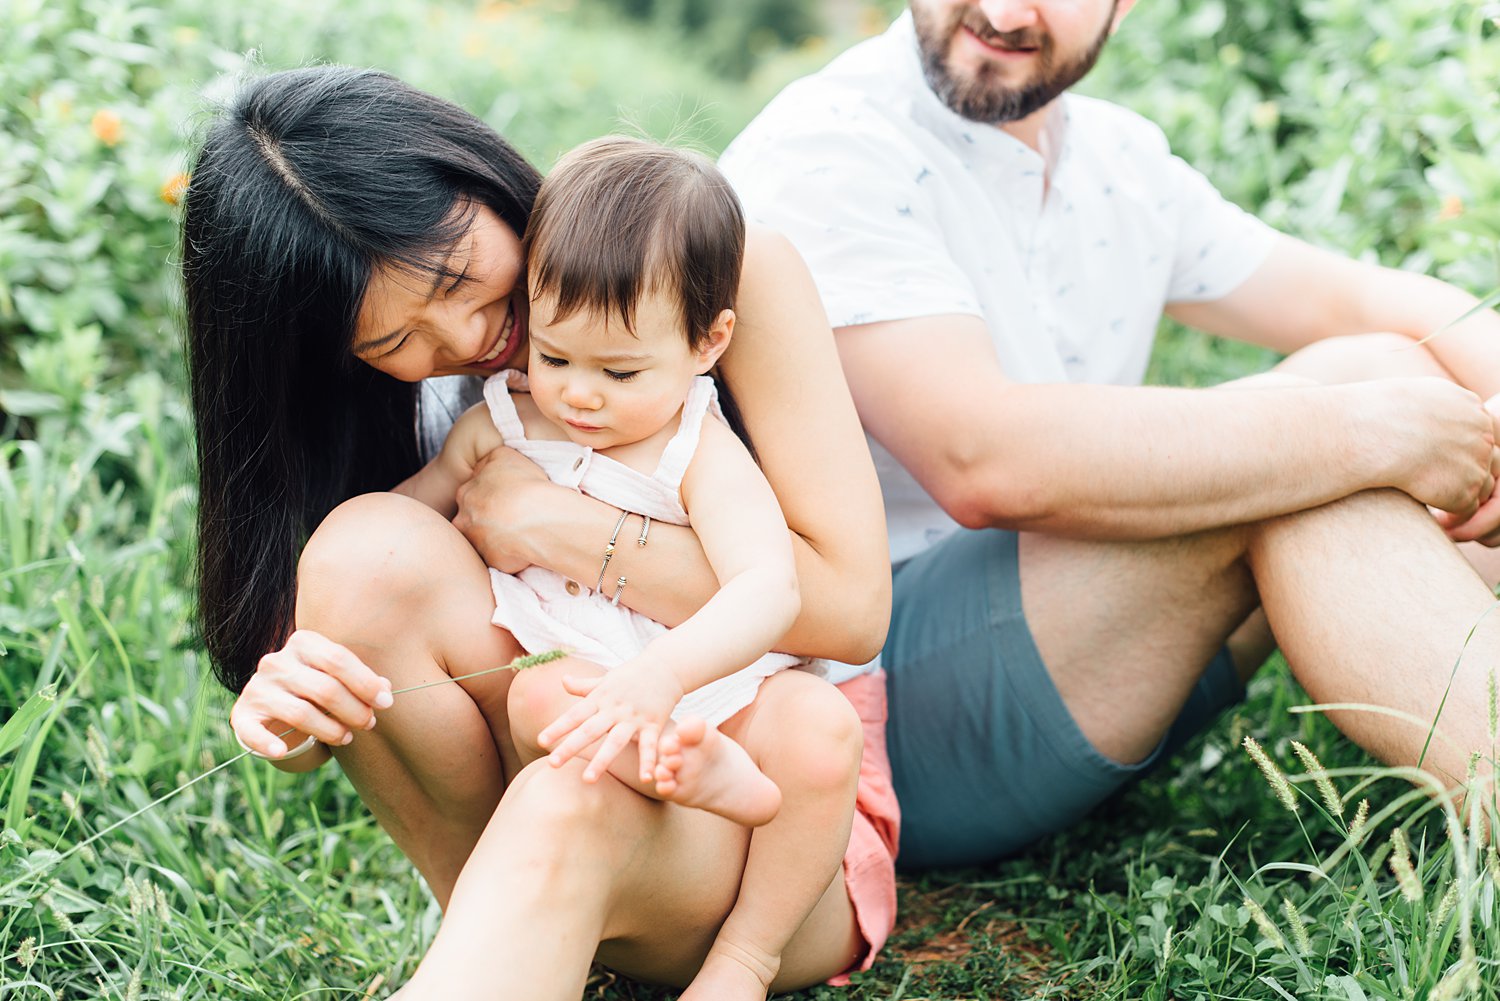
<point>547,612</point>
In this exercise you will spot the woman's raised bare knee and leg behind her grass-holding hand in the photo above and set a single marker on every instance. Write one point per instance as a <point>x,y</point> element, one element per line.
<point>404,591</point>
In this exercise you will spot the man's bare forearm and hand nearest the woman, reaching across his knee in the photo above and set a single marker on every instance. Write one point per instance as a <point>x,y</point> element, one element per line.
<point>1142,463</point>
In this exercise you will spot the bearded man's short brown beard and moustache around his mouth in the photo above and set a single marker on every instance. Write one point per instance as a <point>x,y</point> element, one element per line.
<point>983,98</point>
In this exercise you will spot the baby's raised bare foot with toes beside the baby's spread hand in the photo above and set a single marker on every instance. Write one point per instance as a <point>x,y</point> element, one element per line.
<point>701,768</point>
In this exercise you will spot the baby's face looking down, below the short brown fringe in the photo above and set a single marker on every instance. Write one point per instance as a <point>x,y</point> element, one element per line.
<point>605,385</point>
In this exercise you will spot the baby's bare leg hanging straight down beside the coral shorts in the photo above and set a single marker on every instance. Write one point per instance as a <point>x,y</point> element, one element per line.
<point>808,738</point>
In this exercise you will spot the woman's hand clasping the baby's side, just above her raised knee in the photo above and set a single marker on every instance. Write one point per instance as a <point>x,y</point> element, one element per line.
<point>494,508</point>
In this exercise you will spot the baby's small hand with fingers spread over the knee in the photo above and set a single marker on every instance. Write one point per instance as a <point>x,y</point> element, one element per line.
<point>631,703</point>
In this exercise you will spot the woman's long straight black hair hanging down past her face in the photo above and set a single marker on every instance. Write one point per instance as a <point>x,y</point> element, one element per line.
<point>304,185</point>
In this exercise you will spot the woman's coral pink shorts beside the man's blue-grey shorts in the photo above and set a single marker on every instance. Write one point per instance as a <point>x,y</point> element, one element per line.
<point>871,858</point>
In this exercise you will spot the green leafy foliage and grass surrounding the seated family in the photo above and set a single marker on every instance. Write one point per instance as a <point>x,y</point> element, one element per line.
<point>1369,128</point>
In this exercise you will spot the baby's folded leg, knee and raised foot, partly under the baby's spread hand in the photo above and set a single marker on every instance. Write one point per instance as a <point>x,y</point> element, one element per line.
<point>725,780</point>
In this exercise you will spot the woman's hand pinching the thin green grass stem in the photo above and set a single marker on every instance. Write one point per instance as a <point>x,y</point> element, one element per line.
<point>313,687</point>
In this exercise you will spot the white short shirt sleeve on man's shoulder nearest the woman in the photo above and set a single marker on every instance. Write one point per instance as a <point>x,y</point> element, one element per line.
<point>856,205</point>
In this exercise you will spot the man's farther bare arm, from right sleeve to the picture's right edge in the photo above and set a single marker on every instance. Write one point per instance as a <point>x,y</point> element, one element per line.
<point>1301,295</point>
